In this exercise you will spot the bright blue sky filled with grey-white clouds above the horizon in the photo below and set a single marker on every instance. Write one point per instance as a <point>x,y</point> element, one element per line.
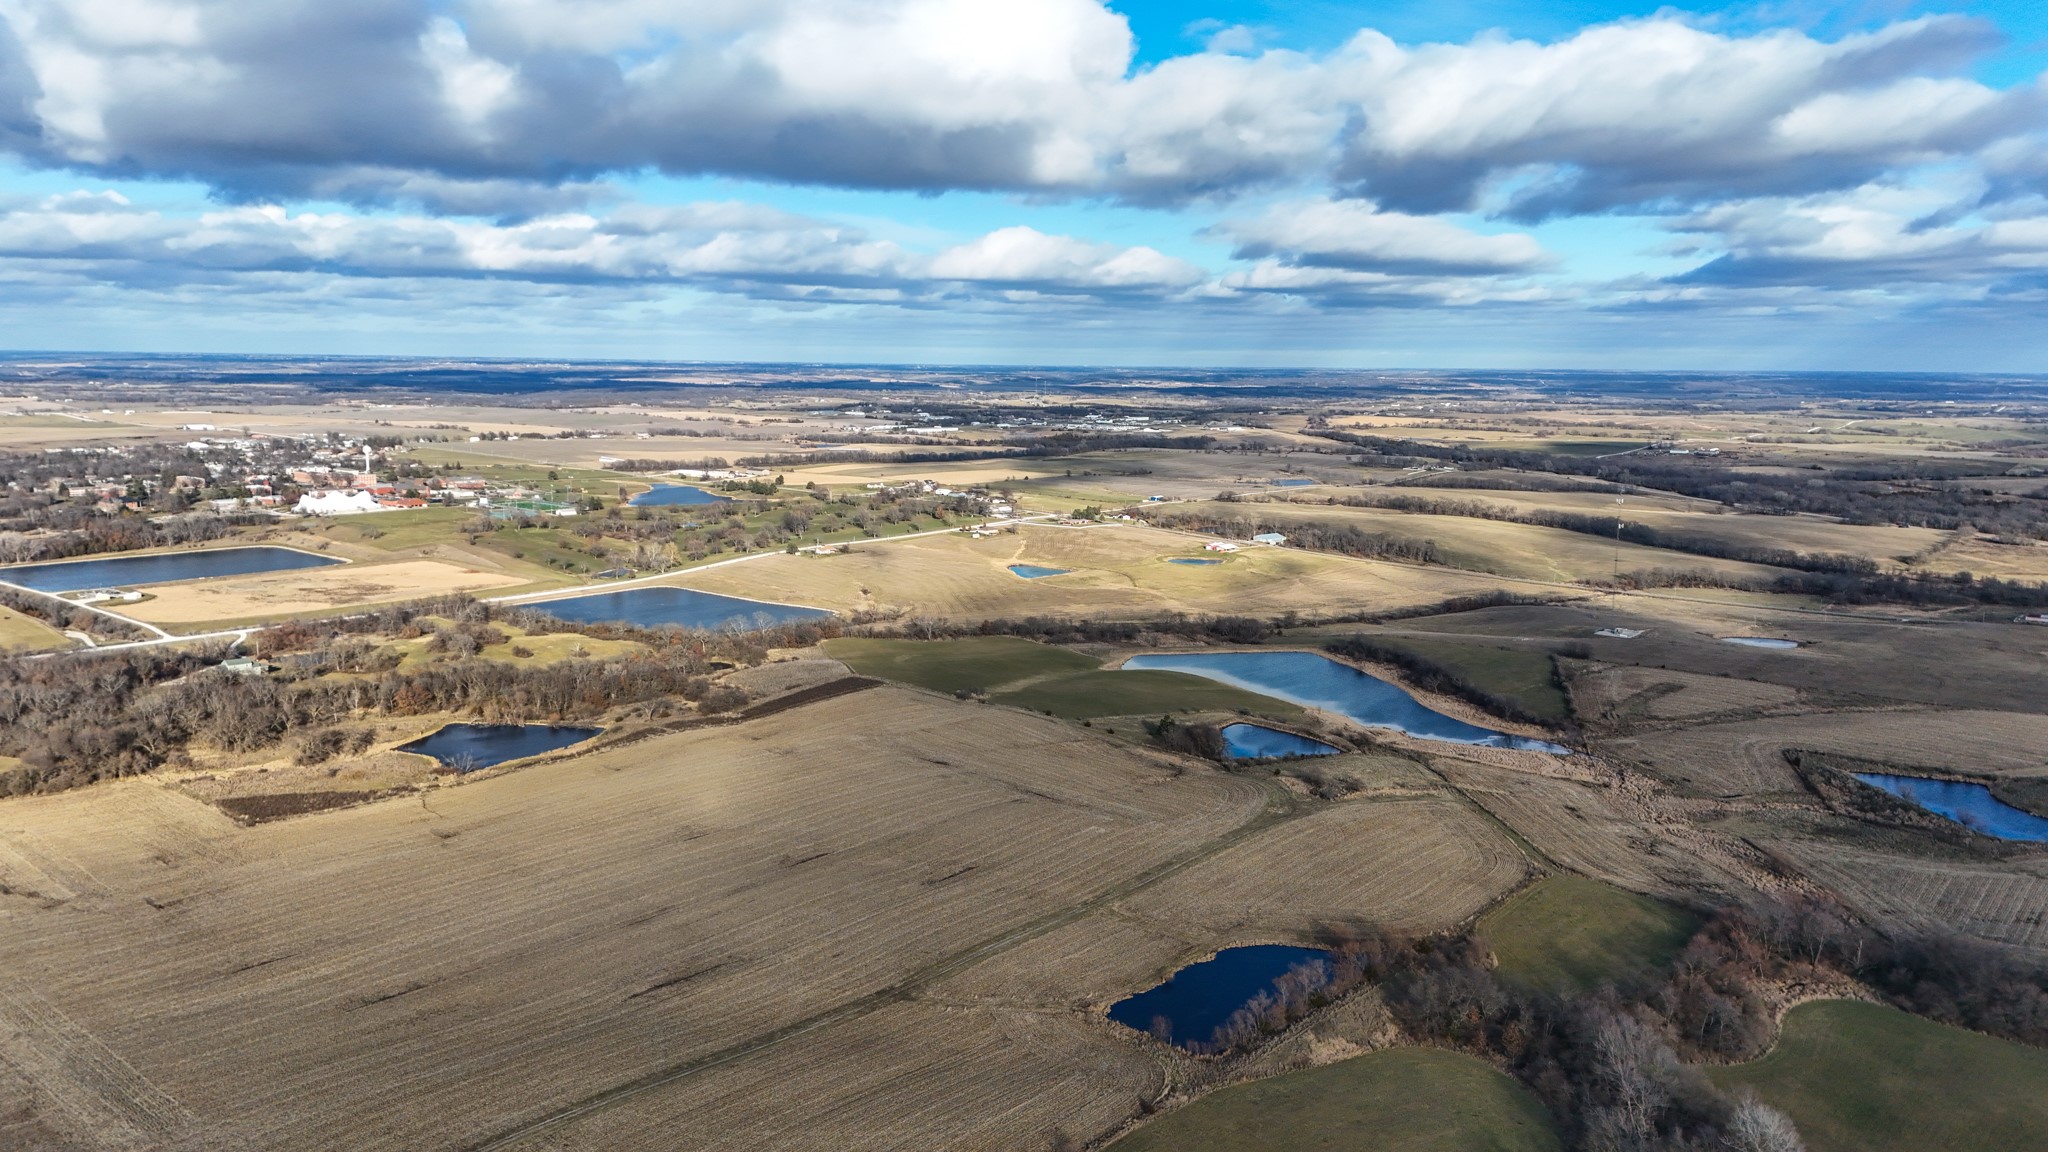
<point>1826,186</point>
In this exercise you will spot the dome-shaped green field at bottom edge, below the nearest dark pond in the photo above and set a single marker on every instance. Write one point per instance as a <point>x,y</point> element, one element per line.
<point>1404,1100</point>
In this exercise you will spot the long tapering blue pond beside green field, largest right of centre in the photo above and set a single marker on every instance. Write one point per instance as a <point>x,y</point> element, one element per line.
<point>1320,682</point>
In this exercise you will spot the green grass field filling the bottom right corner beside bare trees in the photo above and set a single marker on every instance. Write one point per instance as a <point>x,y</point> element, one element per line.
<point>1873,1079</point>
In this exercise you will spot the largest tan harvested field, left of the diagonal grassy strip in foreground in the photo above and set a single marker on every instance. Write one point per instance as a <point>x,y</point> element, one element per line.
<point>476,958</point>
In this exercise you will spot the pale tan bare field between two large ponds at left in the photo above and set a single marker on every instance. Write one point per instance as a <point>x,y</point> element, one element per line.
<point>312,589</point>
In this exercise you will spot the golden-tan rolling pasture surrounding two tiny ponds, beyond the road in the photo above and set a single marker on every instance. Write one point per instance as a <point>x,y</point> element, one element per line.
<point>1113,571</point>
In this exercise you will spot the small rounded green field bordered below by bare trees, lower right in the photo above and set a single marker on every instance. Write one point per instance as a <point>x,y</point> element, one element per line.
<point>1568,934</point>
